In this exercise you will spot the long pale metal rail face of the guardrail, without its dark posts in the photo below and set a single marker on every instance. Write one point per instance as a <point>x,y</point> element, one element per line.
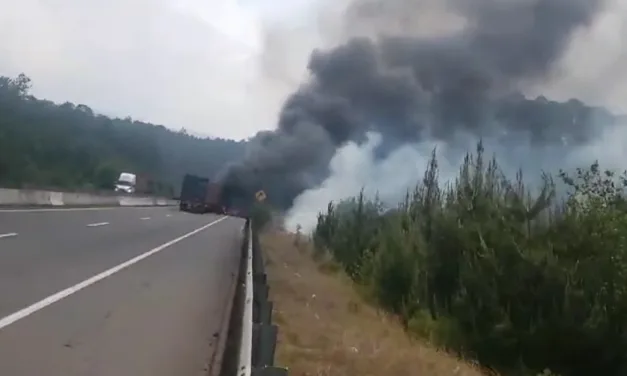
<point>245,352</point>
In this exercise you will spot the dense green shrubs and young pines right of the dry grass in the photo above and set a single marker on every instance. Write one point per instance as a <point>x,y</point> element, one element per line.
<point>493,270</point>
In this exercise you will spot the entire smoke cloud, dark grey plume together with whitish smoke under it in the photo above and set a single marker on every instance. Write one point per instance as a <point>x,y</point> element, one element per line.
<point>390,89</point>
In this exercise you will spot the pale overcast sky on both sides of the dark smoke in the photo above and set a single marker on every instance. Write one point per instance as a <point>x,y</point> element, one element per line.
<point>198,63</point>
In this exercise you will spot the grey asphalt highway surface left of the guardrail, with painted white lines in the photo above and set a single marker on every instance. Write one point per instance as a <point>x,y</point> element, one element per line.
<point>115,292</point>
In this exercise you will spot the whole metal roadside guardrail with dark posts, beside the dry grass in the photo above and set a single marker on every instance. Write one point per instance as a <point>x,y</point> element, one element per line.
<point>258,335</point>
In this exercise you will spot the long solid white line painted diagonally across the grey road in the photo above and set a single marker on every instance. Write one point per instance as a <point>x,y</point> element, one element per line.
<point>12,318</point>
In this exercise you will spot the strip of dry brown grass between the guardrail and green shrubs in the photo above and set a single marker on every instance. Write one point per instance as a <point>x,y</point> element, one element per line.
<point>326,328</point>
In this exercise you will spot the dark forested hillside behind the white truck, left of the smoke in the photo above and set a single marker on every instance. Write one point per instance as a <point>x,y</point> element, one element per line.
<point>69,146</point>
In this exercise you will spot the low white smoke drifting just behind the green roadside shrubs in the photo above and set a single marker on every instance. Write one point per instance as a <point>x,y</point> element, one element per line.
<point>354,167</point>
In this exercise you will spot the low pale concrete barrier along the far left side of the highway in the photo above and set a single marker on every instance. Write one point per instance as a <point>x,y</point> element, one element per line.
<point>31,197</point>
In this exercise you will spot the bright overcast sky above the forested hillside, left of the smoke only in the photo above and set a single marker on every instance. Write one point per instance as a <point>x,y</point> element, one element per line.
<point>189,63</point>
